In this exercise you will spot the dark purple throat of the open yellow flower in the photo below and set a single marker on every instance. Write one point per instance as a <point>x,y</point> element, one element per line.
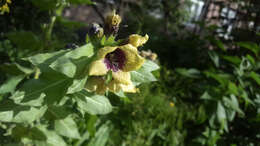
<point>115,60</point>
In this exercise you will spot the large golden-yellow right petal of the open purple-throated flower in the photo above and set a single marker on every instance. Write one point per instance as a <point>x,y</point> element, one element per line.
<point>133,60</point>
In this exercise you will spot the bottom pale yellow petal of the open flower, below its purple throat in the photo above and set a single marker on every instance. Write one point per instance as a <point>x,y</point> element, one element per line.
<point>122,77</point>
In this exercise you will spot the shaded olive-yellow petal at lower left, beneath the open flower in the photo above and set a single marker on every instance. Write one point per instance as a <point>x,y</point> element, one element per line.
<point>96,84</point>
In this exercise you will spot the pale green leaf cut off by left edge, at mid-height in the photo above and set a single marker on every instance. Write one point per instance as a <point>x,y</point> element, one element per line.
<point>10,84</point>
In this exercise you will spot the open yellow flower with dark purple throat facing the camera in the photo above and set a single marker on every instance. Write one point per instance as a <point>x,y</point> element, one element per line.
<point>120,60</point>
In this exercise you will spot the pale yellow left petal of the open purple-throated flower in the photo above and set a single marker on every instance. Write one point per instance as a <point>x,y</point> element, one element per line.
<point>98,68</point>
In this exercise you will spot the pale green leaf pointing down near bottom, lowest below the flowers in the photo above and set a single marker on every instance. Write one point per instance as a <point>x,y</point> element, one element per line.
<point>67,127</point>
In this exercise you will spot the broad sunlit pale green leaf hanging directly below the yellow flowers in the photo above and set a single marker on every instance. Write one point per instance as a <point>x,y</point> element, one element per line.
<point>92,104</point>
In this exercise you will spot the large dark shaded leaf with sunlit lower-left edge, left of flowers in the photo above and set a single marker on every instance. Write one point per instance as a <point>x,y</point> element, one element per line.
<point>51,87</point>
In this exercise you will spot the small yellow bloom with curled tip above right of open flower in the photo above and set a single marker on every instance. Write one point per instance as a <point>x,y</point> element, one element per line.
<point>137,40</point>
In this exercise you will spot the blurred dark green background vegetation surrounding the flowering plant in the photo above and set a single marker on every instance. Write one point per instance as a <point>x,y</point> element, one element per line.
<point>207,91</point>
